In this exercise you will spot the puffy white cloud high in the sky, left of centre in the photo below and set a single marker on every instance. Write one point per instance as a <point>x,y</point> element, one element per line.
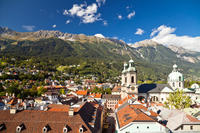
<point>87,14</point>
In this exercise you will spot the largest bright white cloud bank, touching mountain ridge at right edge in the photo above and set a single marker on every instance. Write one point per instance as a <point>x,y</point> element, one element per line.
<point>164,35</point>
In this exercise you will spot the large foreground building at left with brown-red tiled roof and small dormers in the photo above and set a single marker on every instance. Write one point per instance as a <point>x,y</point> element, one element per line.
<point>56,119</point>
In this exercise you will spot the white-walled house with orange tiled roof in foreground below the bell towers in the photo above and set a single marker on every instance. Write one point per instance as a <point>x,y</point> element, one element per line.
<point>136,118</point>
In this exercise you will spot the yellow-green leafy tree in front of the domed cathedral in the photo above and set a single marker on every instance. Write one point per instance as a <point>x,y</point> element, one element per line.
<point>178,100</point>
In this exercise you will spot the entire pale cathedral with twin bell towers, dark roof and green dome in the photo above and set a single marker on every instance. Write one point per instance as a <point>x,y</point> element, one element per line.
<point>154,92</point>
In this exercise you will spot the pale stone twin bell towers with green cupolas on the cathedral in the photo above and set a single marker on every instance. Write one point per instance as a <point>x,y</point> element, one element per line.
<point>129,79</point>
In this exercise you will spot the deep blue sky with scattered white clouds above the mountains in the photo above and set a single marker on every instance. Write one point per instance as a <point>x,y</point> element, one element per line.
<point>170,22</point>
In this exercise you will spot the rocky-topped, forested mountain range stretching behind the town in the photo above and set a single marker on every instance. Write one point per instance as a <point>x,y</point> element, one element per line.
<point>149,56</point>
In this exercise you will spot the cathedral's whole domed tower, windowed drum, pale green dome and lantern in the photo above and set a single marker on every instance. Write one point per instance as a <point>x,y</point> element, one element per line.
<point>175,78</point>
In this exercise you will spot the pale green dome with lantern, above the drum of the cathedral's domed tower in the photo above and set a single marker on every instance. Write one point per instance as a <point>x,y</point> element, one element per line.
<point>175,76</point>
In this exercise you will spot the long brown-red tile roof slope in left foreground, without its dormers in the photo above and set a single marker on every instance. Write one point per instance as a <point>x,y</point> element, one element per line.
<point>34,121</point>
